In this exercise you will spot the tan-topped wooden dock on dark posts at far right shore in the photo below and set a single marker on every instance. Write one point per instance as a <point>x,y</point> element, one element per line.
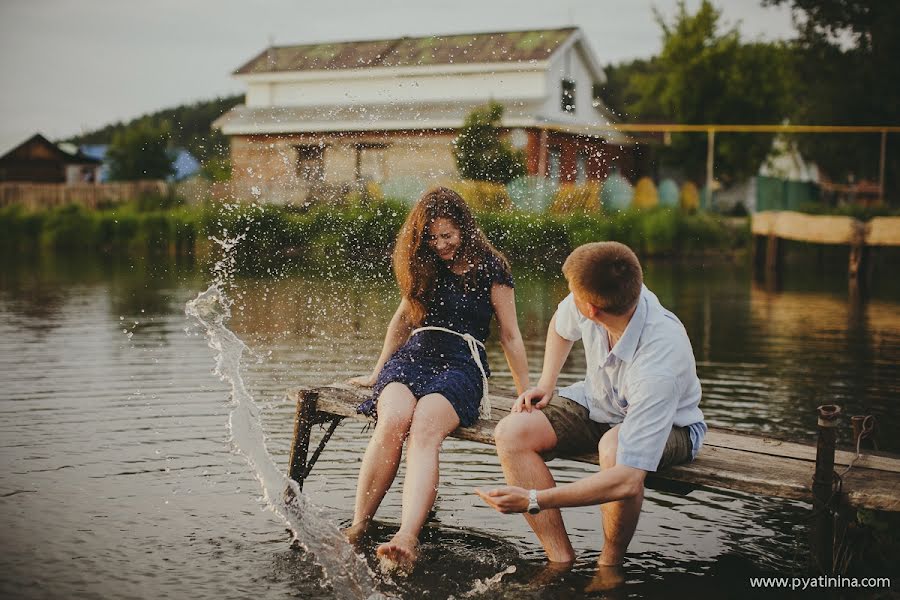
<point>769,228</point>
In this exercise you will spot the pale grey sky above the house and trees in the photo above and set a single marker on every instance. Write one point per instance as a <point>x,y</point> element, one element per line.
<point>70,66</point>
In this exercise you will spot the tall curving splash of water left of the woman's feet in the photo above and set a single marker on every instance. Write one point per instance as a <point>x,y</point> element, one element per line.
<point>347,572</point>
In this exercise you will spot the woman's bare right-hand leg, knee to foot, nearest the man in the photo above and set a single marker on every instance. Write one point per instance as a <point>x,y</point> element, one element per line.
<point>433,420</point>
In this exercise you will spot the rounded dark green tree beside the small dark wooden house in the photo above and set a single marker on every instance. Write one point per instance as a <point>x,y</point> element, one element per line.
<point>141,152</point>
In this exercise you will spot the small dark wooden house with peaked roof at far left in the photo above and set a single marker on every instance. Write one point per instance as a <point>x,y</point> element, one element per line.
<point>38,160</point>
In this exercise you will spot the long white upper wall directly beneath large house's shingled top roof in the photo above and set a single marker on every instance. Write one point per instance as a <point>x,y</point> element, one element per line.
<point>368,87</point>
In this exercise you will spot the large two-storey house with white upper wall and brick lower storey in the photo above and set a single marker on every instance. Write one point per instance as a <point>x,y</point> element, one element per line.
<point>335,115</point>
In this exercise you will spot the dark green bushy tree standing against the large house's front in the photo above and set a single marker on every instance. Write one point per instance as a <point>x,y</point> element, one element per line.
<point>480,153</point>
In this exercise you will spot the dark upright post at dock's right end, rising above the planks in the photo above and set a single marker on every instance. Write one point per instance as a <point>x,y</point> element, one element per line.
<point>824,500</point>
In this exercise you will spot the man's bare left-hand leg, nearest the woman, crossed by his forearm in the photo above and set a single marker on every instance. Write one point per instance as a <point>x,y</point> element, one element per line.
<point>520,437</point>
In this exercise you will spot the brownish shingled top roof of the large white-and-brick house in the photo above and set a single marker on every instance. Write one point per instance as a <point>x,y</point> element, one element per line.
<point>510,46</point>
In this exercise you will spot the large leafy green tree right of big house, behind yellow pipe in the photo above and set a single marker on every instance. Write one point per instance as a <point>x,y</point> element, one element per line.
<point>706,76</point>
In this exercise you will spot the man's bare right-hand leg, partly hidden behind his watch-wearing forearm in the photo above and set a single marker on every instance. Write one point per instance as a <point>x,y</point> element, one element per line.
<point>620,518</point>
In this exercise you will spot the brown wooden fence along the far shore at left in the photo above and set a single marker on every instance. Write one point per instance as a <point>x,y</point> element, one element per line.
<point>47,195</point>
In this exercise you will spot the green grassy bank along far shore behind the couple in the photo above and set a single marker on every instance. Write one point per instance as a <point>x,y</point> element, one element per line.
<point>275,238</point>
